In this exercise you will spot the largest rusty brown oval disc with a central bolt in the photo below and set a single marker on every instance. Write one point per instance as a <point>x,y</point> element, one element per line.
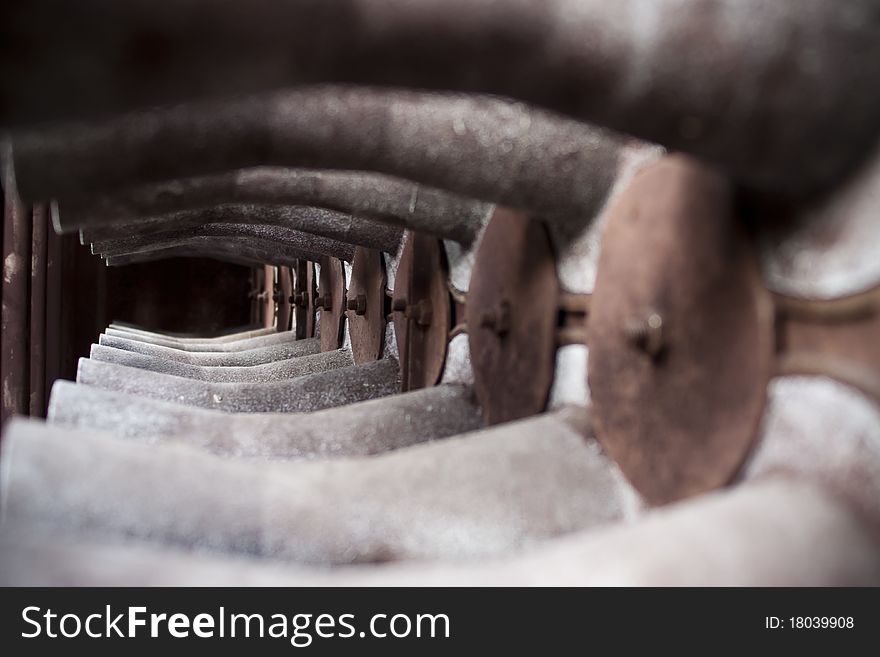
<point>680,334</point>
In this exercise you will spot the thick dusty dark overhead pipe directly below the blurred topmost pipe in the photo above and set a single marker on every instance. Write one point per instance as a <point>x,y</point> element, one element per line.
<point>481,147</point>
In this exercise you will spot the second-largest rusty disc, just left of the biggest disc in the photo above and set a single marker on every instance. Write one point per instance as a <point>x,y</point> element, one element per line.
<point>512,308</point>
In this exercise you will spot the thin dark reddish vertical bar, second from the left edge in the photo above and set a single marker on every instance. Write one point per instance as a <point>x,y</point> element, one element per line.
<point>38,311</point>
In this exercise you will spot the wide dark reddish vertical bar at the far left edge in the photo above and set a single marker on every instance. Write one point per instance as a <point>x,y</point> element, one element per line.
<point>16,276</point>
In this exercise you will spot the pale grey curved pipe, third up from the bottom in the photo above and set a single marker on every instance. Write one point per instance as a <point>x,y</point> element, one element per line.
<point>359,429</point>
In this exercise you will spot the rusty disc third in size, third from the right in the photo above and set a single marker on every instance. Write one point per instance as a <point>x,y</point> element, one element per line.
<point>422,315</point>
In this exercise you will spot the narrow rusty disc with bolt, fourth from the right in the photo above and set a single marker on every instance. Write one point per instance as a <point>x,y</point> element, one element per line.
<point>366,305</point>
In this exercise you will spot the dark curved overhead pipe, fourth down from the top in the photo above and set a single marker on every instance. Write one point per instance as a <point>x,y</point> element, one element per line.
<point>292,224</point>
